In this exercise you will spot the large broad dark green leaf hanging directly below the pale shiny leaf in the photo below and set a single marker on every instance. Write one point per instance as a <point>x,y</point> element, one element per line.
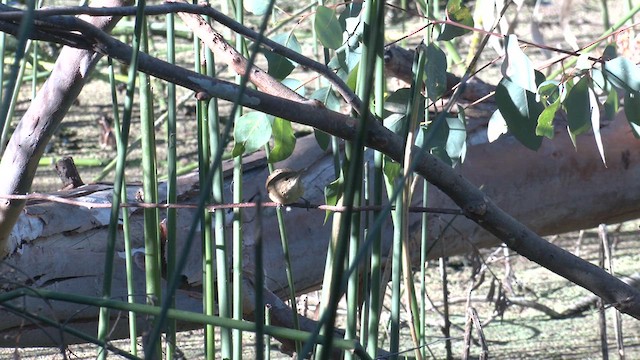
<point>520,110</point>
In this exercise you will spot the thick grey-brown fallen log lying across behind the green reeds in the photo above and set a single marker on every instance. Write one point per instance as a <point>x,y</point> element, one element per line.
<point>60,246</point>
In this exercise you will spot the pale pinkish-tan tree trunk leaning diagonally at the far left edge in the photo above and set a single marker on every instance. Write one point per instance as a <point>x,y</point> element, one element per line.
<point>48,108</point>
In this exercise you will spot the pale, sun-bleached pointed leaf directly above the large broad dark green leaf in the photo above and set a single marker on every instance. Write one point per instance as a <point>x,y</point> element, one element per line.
<point>517,67</point>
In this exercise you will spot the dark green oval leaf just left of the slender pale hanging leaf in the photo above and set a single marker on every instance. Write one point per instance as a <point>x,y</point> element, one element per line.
<point>578,107</point>
